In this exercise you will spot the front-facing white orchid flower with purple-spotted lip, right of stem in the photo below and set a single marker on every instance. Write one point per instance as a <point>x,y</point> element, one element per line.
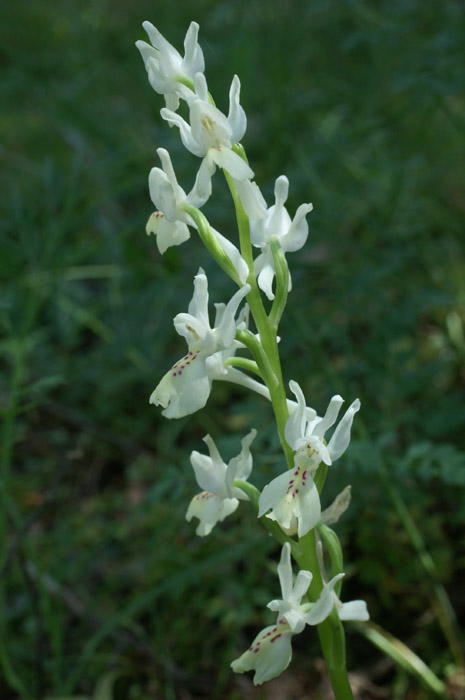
<point>293,497</point>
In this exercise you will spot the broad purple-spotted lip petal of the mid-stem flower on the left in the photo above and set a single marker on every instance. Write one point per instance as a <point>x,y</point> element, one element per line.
<point>184,389</point>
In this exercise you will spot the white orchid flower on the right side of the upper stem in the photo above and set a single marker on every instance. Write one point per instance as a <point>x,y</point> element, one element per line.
<point>274,222</point>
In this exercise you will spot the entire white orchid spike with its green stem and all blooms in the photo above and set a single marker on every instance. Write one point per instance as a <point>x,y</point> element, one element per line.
<point>289,506</point>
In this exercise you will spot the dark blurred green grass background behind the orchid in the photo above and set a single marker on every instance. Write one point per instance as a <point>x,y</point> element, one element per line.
<point>362,107</point>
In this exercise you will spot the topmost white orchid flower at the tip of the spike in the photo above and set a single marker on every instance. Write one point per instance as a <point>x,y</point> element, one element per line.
<point>167,70</point>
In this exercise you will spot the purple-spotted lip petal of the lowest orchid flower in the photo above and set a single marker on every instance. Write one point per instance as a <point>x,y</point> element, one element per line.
<point>269,654</point>
